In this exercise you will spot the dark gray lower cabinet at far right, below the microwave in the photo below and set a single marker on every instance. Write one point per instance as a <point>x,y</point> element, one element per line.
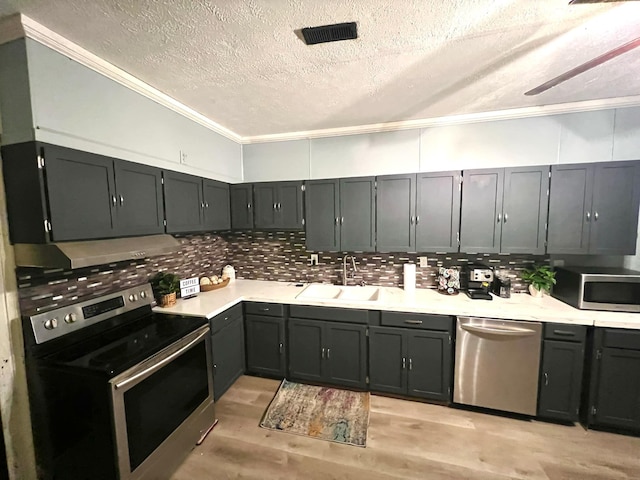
<point>614,394</point>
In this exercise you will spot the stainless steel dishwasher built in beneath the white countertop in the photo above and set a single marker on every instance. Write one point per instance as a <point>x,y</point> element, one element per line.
<point>497,364</point>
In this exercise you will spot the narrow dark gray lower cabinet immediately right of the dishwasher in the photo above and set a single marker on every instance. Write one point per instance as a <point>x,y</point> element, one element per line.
<point>561,372</point>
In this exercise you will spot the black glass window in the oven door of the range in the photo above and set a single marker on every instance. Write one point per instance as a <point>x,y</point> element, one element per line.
<point>159,404</point>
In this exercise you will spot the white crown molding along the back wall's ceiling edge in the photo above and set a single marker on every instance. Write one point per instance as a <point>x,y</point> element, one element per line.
<point>515,113</point>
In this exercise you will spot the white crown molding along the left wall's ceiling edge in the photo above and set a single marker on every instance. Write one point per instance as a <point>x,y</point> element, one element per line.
<point>49,38</point>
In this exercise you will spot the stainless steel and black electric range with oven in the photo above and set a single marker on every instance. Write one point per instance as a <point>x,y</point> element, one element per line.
<point>116,391</point>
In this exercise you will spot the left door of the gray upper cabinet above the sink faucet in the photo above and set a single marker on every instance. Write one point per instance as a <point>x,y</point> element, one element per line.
<point>322,214</point>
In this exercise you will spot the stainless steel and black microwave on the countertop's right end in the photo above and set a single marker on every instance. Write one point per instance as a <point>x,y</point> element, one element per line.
<point>598,288</point>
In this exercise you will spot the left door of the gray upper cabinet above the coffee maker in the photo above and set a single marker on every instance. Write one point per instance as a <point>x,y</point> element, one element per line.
<point>481,205</point>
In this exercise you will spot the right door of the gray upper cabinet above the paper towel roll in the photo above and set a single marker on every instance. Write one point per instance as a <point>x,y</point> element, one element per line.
<point>438,211</point>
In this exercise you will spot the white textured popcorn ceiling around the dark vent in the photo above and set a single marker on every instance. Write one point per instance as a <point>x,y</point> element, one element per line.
<point>240,63</point>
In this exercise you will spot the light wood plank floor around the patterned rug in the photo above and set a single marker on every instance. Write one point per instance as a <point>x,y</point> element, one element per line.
<point>405,440</point>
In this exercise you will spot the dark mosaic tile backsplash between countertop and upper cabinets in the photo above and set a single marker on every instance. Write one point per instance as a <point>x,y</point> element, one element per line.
<point>279,256</point>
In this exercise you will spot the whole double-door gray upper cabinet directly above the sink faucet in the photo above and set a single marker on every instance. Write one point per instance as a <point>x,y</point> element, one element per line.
<point>340,214</point>
